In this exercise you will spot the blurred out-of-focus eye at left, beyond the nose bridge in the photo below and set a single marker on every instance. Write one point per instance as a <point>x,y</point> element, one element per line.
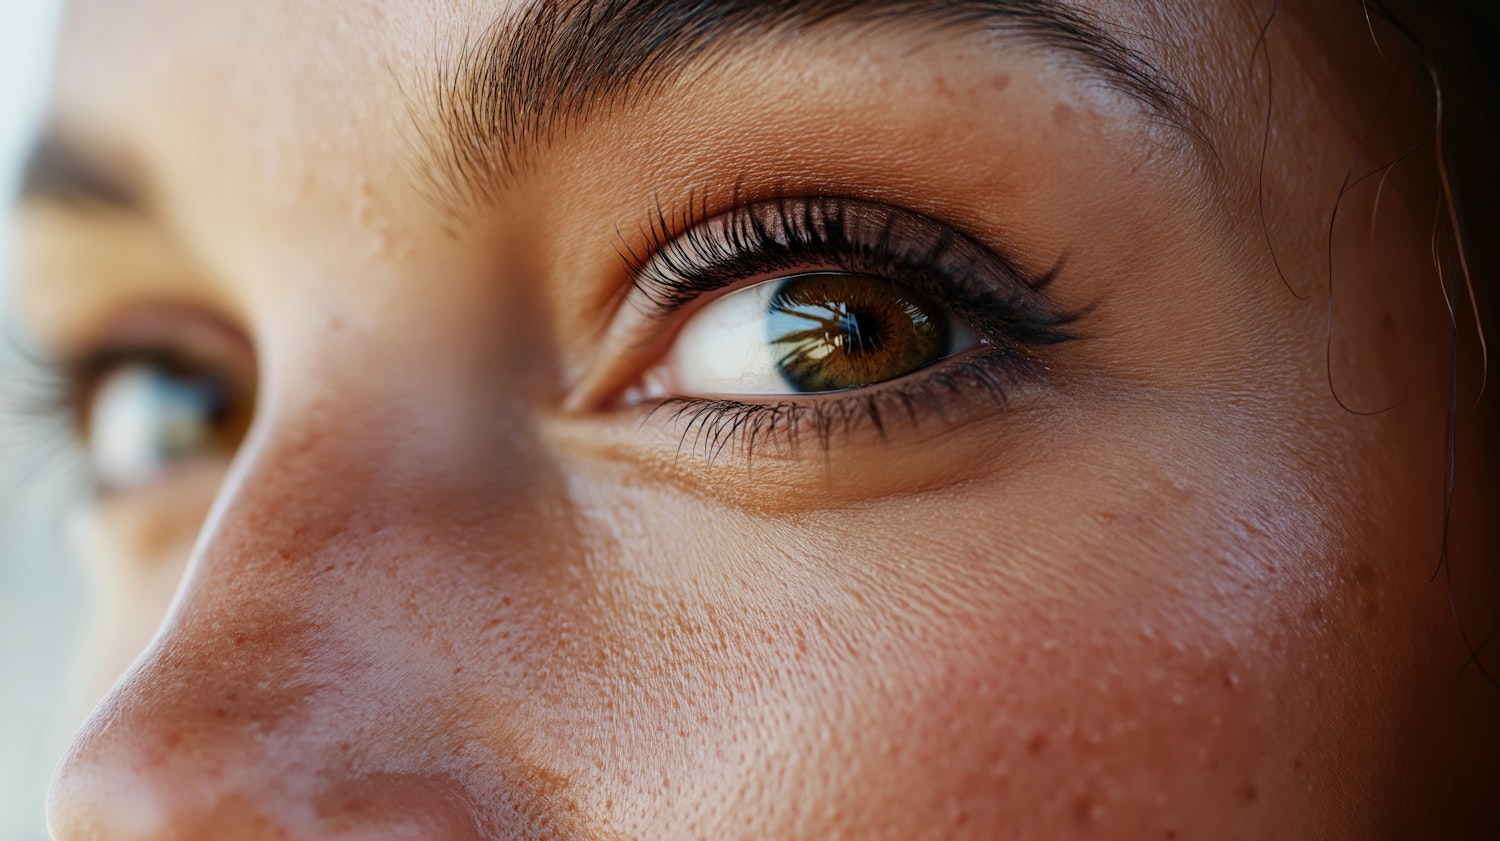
<point>146,418</point>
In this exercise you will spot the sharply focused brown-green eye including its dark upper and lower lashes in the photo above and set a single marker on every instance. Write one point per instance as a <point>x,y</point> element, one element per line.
<point>842,317</point>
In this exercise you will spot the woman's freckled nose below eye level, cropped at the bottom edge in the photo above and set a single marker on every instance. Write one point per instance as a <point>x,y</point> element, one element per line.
<point>307,681</point>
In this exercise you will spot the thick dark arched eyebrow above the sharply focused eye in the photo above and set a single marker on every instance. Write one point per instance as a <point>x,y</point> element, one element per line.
<point>535,74</point>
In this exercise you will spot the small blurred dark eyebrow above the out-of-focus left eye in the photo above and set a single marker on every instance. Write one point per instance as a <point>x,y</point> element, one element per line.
<point>59,170</point>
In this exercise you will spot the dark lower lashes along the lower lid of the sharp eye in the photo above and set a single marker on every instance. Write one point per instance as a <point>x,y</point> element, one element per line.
<point>712,426</point>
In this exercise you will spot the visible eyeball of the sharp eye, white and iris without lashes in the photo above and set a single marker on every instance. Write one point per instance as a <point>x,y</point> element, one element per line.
<point>809,334</point>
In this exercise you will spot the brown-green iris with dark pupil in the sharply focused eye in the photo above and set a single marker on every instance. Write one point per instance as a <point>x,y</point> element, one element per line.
<point>835,332</point>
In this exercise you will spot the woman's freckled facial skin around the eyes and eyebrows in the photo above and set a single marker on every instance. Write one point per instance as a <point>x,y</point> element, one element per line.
<point>1175,591</point>
